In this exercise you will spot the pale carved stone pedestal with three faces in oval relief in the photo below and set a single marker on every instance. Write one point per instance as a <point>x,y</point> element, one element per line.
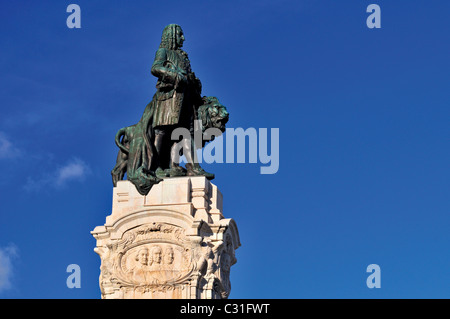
<point>173,243</point>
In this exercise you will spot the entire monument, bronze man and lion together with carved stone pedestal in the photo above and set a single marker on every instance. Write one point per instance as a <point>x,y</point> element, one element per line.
<point>167,237</point>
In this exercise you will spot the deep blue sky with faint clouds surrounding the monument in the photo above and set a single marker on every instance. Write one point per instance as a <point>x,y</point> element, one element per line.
<point>363,116</point>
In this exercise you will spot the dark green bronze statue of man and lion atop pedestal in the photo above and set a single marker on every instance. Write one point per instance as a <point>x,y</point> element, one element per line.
<point>147,152</point>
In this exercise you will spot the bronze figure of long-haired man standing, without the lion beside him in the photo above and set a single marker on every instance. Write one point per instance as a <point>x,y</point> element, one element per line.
<point>178,98</point>
